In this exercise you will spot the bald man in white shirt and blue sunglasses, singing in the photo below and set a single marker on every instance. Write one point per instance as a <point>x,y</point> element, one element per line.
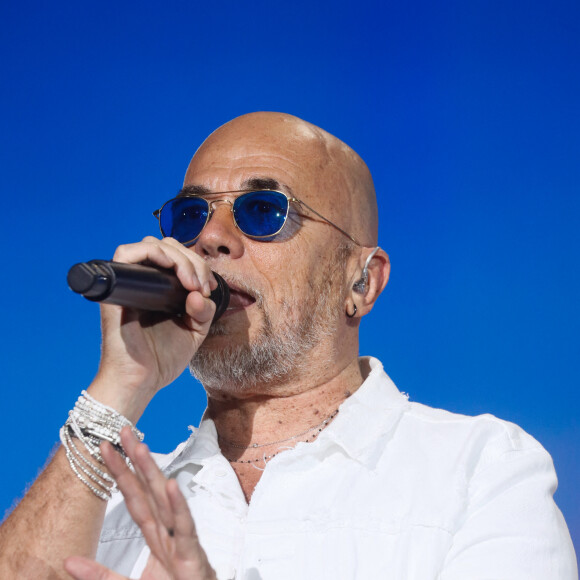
<point>308,462</point>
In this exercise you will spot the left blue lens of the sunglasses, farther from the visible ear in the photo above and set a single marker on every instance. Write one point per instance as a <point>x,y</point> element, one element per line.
<point>183,218</point>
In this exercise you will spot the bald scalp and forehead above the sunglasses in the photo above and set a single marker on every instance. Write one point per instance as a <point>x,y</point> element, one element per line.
<point>334,180</point>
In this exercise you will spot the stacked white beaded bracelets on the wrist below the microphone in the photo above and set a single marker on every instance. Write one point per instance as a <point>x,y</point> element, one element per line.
<point>91,423</point>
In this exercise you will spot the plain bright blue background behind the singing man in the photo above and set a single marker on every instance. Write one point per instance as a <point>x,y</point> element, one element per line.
<point>467,114</point>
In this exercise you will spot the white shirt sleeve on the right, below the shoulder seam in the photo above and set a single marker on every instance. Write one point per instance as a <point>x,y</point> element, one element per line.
<point>512,528</point>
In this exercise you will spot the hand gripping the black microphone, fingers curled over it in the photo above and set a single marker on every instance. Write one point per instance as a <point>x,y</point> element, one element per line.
<point>145,351</point>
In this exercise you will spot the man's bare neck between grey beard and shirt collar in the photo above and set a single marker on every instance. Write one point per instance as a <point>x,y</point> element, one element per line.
<point>246,418</point>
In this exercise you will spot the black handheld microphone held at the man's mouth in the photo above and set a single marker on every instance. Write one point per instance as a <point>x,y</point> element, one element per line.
<point>138,286</point>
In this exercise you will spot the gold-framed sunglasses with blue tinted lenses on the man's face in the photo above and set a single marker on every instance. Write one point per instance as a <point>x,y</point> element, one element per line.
<point>257,214</point>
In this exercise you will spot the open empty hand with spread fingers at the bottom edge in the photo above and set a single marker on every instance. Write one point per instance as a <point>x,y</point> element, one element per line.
<point>159,508</point>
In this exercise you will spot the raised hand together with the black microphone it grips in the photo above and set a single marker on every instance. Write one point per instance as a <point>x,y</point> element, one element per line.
<point>141,354</point>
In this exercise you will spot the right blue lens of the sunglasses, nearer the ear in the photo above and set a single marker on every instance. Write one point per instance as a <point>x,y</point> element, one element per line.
<point>261,213</point>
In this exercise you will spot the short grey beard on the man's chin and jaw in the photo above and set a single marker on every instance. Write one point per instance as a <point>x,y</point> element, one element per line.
<point>277,353</point>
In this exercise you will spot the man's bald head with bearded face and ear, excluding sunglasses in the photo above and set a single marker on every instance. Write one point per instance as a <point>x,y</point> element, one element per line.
<point>299,321</point>
